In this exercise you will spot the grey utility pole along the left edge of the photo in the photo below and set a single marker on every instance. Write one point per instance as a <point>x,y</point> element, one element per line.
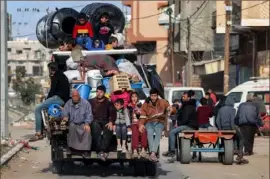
<point>4,74</point>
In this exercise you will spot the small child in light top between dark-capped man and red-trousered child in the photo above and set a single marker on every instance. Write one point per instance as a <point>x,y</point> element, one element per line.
<point>122,124</point>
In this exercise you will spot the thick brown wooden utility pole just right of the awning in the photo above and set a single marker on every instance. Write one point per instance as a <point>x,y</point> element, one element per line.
<point>228,24</point>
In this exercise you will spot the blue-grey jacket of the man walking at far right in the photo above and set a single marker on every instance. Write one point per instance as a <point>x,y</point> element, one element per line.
<point>248,114</point>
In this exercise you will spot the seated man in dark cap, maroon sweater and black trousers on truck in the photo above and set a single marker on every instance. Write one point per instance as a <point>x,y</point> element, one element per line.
<point>104,117</point>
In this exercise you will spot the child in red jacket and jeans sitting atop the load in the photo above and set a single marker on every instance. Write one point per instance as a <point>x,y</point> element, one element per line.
<point>83,32</point>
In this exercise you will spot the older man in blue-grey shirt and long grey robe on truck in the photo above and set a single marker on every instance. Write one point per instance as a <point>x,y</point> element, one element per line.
<point>78,113</point>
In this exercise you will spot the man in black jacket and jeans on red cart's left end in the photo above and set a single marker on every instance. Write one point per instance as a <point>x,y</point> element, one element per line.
<point>187,118</point>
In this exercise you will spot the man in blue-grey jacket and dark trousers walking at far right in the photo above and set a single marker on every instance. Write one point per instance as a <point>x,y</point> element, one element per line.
<point>248,119</point>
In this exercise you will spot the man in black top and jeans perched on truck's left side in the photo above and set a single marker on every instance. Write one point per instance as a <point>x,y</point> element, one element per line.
<point>59,94</point>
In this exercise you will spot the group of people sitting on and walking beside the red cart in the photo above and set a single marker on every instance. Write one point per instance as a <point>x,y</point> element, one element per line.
<point>192,115</point>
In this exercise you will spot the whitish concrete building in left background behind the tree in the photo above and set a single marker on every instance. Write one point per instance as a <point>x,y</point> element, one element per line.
<point>30,54</point>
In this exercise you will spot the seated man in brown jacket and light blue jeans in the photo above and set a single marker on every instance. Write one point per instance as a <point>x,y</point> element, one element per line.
<point>153,118</point>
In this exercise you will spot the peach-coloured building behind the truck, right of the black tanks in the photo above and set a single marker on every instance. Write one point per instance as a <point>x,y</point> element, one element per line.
<point>149,36</point>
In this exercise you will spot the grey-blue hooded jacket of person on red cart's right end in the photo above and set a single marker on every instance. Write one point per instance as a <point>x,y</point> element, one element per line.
<point>226,115</point>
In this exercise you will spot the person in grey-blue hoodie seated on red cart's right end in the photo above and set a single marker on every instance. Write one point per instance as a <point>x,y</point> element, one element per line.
<point>226,121</point>
